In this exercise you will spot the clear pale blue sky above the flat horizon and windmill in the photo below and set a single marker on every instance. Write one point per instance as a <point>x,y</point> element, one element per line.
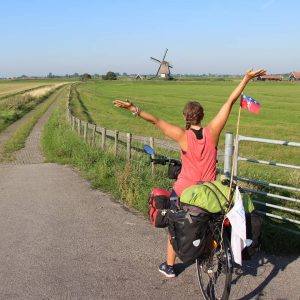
<point>203,36</point>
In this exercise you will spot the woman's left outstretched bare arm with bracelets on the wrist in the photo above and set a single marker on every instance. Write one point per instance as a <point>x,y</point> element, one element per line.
<point>172,131</point>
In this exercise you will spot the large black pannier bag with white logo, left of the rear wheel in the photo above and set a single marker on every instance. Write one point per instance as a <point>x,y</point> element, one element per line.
<point>188,233</point>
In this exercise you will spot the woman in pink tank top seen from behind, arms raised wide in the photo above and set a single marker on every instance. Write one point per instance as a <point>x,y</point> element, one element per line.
<point>198,145</point>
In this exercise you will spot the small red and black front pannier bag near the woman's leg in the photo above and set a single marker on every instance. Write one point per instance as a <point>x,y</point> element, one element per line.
<point>159,203</point>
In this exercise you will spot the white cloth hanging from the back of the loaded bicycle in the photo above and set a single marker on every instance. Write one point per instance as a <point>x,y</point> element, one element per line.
<point>237,220</point>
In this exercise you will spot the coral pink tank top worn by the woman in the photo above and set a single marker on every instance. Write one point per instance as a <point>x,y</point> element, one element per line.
<point>198,162</point>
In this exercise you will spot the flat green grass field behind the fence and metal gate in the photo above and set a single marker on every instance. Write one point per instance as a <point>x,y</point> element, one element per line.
<point>279,117</point>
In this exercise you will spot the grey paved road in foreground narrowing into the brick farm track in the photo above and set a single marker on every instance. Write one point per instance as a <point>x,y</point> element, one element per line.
<point>62,240</point>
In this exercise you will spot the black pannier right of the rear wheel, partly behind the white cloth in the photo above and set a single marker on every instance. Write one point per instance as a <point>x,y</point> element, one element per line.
<point>254,224</point>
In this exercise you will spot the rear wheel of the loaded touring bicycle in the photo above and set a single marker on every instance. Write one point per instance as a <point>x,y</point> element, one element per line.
<point>214,270</point>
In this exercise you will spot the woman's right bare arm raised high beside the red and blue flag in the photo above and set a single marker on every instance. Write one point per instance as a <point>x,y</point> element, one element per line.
<point>217,124</point>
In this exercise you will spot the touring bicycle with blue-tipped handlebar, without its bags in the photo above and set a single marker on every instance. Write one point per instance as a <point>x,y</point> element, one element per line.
<point>214,266</point>
